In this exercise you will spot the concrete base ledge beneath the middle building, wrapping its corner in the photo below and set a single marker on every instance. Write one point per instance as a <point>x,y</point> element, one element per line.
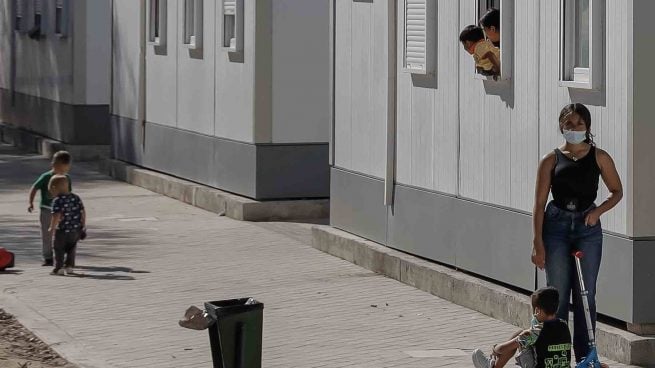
<point>214,200</point>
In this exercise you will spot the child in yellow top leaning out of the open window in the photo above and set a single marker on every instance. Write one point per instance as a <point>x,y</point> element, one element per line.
<point>485,54</point>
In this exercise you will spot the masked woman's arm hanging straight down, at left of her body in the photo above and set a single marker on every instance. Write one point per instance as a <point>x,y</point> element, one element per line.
<point>542,189</point>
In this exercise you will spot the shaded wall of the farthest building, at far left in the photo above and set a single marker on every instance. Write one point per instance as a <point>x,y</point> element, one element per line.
<point>61,82</point>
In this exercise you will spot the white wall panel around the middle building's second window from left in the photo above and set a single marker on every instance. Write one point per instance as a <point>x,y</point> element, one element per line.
<point>195,99</point>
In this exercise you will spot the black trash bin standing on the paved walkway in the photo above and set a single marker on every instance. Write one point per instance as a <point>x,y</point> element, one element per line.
<point>236,337</point>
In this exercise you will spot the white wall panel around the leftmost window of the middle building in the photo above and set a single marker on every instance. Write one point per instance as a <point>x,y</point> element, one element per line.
<point>161,73</point>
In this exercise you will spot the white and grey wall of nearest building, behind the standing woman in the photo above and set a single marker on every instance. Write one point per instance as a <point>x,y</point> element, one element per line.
<point>465,150</point>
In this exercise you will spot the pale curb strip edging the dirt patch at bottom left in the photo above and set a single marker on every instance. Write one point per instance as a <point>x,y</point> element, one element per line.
<point>61,342</point>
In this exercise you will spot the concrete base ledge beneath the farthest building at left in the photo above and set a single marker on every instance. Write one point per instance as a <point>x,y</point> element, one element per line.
<point>35,143</point>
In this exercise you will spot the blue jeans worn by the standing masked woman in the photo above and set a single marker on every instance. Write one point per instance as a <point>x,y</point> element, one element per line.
<point>565,232</point>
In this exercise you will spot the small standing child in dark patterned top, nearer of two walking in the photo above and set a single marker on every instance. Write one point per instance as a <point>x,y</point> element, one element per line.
<point>68,221</point>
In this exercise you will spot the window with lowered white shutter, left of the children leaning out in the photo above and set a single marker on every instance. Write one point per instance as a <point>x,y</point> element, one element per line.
<point>419,34</point>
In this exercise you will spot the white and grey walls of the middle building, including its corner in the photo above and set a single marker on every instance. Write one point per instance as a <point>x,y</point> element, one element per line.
<point>234,114</point>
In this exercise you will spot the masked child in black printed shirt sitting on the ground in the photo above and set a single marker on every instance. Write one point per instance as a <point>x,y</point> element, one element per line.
<point>546,344</point>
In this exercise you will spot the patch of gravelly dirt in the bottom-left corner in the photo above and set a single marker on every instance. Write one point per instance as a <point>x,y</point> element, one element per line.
<point>19,348</point>
